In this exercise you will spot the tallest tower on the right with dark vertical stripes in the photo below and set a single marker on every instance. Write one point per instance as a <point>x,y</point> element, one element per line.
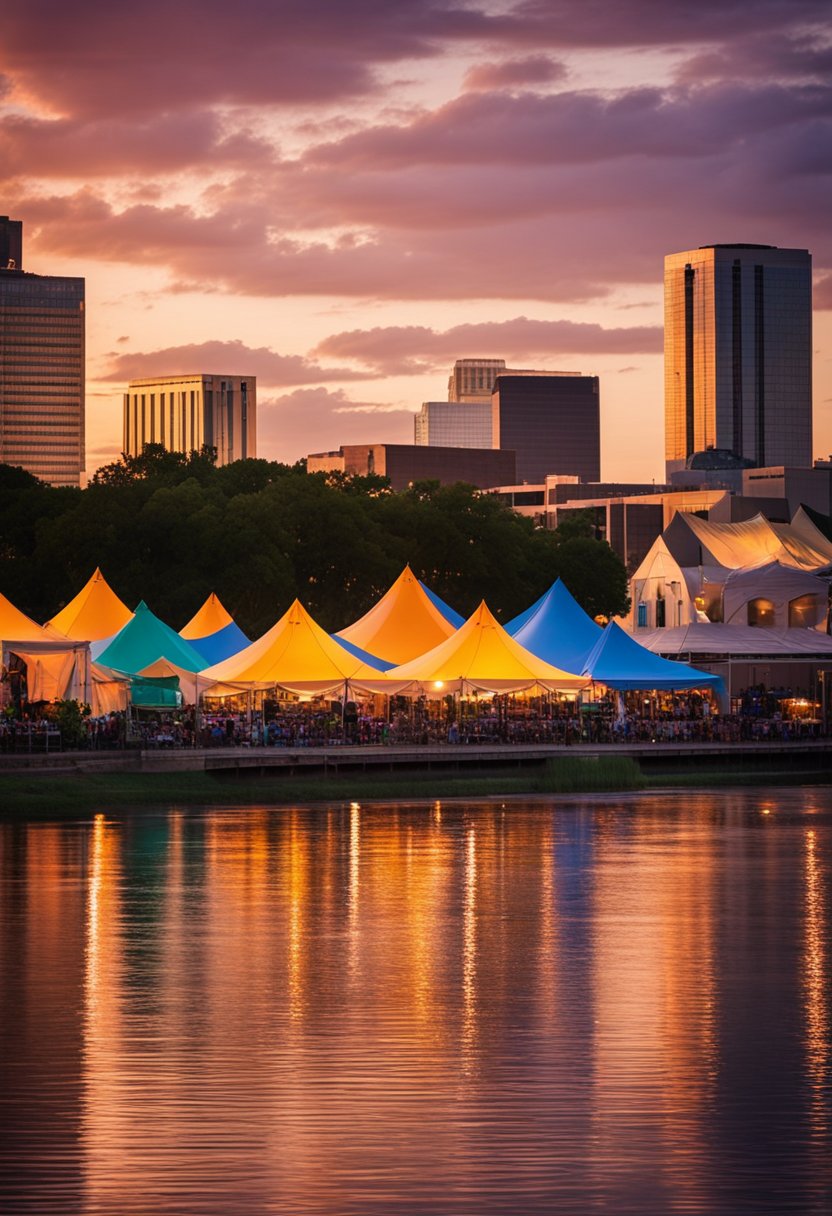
<point>738,353</point>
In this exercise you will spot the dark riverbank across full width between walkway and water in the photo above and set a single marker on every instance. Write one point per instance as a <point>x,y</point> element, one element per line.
<point>44,795</point>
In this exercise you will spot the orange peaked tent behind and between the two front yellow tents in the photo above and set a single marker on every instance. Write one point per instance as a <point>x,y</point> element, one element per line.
<point>404,624</point>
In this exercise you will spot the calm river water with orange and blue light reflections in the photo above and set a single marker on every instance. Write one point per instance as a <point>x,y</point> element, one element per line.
<point>608,1005</point>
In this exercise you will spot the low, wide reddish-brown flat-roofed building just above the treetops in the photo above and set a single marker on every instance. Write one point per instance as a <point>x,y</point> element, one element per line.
<point>406,464</point>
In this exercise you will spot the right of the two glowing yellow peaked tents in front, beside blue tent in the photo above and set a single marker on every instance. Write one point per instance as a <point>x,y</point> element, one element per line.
<point>481,657</point>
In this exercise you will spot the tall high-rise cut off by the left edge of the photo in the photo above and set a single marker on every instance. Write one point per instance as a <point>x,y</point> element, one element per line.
<point>42,367</point>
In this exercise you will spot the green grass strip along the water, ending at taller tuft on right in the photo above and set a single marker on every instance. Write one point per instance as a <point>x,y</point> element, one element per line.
<point>92,792</point>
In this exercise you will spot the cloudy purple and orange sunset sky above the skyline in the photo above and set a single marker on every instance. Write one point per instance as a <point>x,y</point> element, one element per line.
<point>344,198</point>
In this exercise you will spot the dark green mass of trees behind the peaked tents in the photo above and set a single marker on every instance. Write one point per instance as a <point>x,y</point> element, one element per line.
<point>170,530</point>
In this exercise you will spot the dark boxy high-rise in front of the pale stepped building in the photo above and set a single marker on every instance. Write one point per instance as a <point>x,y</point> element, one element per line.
<point>552,420</point>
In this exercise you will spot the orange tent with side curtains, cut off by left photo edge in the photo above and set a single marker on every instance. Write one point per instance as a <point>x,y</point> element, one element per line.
<point>58,668</point>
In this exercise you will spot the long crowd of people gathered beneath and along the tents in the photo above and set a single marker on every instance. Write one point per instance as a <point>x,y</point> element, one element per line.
<point>757,716</point>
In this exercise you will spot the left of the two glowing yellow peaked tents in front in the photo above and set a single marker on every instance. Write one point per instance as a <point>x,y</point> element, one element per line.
<point>295,655</point>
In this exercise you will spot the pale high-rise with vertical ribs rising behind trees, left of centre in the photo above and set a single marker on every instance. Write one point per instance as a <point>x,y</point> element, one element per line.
<point>188,413</point>
